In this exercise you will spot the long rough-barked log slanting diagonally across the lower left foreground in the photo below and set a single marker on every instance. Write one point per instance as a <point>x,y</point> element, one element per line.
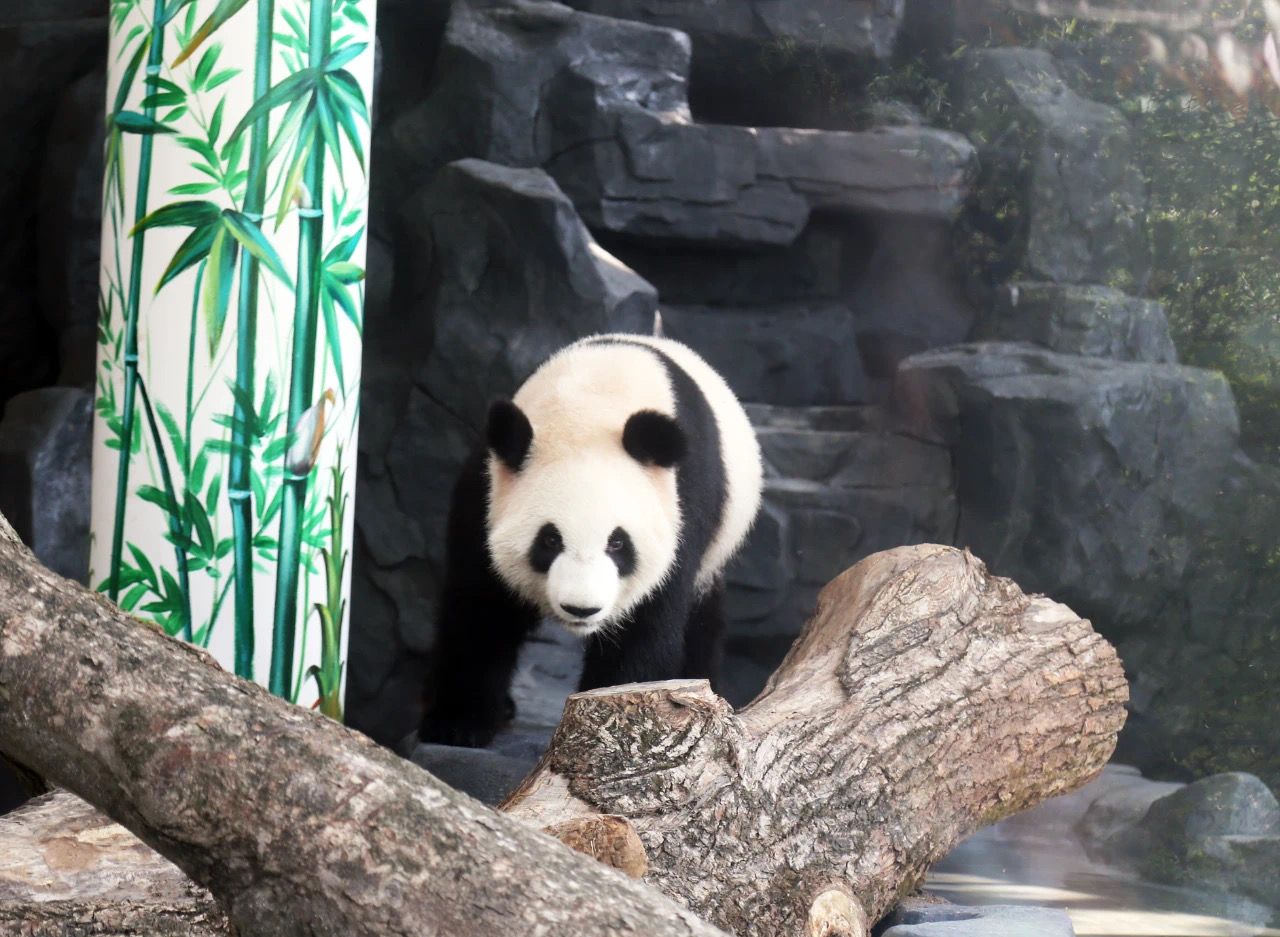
<point>298,825</point>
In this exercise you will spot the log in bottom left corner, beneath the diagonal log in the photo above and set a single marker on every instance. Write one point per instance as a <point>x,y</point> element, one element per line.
<point>66,870</point>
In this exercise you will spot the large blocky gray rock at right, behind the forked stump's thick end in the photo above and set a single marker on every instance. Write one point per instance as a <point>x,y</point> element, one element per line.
<point>1086,479</point>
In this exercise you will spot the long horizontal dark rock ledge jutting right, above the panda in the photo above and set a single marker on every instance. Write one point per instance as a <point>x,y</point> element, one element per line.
<point>650,175</point>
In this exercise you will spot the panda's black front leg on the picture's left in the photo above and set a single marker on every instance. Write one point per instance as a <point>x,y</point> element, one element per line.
<point>481,629</point>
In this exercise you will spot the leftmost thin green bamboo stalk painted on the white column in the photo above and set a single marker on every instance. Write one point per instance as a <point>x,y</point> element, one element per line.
<point>131,313</point>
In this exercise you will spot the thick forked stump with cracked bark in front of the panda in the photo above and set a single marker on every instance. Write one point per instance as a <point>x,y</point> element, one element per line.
<point>924,701</point>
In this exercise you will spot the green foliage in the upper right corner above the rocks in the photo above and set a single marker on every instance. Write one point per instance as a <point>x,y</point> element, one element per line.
<point>1214,196</point>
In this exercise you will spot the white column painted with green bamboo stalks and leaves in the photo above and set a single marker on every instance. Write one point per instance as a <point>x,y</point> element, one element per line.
<point>228,376</point>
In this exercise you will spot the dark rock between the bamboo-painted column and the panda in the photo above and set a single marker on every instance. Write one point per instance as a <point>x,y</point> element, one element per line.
<point>508,275</point>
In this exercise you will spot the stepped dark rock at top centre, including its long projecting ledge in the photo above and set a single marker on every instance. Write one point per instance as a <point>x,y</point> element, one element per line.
<point>602,106</point>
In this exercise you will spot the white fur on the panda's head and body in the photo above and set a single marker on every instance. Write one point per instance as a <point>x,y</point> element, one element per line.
<point>579,477</point>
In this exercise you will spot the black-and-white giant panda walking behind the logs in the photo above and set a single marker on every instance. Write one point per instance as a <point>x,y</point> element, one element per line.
<point>609,495</point>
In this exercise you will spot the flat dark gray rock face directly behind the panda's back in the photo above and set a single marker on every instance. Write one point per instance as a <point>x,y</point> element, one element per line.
<point>793,355</point>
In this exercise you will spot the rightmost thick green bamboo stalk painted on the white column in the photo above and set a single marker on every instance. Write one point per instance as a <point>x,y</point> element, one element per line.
<point>305,316</point>
